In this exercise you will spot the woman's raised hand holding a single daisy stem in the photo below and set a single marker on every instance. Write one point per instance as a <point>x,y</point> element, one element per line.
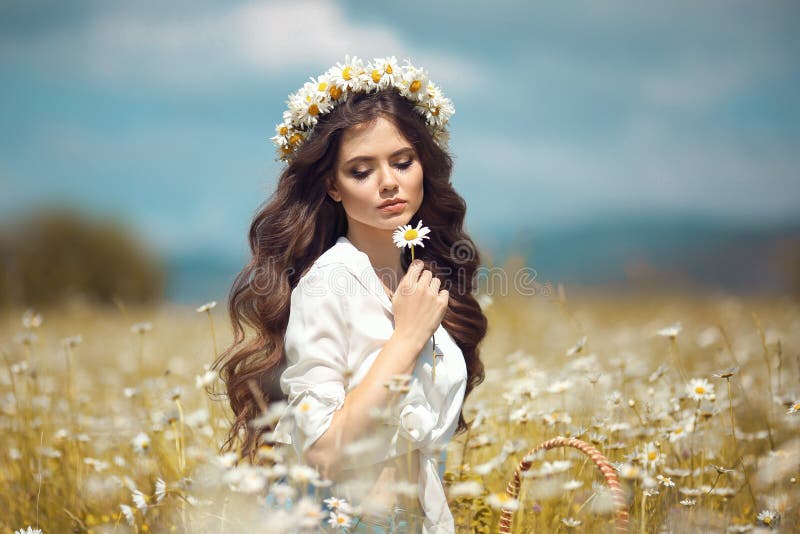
<point>419,306</point>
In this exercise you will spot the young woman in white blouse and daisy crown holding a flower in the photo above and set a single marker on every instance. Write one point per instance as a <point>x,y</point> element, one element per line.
<point>374,353</point>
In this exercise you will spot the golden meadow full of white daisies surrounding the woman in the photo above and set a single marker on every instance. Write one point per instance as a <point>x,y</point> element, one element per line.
<point>108,426</point>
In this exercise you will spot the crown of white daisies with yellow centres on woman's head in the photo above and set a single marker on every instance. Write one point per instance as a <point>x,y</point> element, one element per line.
<point>323,93</point>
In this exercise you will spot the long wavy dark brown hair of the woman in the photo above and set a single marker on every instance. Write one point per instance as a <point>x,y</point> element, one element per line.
<point>300,221</point>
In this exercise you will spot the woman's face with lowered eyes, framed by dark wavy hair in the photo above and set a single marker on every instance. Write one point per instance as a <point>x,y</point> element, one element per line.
<point>375,164</point>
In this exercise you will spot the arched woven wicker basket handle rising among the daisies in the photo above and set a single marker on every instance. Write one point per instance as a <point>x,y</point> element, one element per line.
<point>602,463</point>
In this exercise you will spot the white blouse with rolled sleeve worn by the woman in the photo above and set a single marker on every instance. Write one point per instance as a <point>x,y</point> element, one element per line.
<point>340,318</point>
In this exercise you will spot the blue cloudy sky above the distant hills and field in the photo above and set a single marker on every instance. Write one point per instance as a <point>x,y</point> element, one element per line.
<point>161,112</point>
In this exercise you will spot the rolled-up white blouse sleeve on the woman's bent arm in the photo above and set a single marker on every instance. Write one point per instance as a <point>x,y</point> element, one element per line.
<point>316,347</point>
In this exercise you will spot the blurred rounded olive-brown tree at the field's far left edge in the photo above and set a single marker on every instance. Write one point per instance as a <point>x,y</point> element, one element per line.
<point>53,255</point>
